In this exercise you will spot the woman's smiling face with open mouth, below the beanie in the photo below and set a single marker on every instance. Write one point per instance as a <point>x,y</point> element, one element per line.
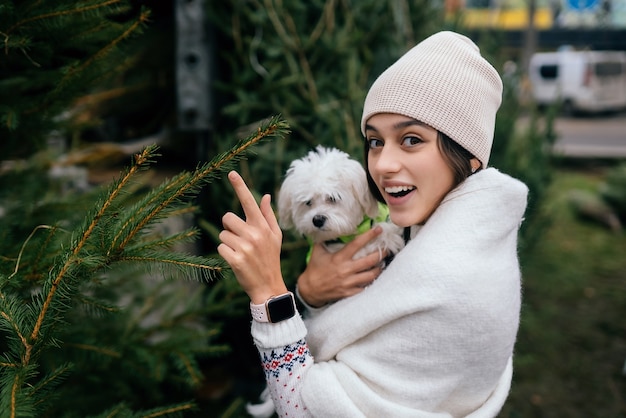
<point>407,166</point>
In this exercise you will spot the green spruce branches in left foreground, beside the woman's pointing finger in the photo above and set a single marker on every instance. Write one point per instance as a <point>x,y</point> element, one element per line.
<point>80,313</point>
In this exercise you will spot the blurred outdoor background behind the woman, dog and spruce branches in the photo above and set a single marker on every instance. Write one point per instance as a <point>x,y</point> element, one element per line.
<point>84,85</point>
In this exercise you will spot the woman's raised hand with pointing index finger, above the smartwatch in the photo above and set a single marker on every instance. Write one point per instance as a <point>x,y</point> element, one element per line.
<point>252,246</point>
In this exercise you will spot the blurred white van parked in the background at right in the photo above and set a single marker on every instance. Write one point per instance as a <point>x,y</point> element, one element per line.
<point>582,81</point>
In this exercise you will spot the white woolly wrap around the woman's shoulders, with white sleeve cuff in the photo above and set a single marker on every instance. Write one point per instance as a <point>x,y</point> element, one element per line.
<point>433,336</point>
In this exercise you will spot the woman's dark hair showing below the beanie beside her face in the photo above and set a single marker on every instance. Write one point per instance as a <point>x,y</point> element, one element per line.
<point>457,157</point>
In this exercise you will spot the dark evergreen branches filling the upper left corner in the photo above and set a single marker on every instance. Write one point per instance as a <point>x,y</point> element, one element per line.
<point>55,52</point>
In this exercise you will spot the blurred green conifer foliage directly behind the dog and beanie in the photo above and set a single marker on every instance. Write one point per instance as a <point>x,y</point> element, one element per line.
<point>312,62</point>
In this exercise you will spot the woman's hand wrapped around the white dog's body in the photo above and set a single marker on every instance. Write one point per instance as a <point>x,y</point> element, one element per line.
<point>332,276</point>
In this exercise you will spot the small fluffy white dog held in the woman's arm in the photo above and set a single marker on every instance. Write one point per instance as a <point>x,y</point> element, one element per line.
<point>325,196</point>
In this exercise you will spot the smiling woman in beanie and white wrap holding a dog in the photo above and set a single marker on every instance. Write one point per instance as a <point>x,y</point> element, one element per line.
<point>433,335</point>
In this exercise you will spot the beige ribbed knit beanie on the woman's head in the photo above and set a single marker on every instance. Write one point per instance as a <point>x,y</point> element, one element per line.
<point>444,82</point>
